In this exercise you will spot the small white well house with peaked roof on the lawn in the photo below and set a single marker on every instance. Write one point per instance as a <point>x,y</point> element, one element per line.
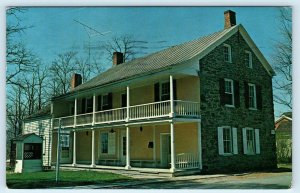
<point>28,153</point>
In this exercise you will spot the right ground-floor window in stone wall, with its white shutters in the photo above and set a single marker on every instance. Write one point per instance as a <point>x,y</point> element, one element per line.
<point>251,141</point>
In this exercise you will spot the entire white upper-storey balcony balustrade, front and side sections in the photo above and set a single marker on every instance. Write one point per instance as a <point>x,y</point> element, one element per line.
<point>182,109</point>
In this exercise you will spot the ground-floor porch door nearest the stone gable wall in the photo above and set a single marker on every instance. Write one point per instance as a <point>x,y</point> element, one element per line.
<point>165,150</point>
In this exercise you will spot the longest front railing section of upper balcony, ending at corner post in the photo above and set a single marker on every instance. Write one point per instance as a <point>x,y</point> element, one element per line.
<point>149,110</point>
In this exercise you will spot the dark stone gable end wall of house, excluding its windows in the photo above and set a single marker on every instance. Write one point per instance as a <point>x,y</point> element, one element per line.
<point>213,67</point>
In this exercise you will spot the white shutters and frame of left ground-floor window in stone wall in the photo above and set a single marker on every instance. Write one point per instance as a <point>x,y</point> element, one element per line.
<point>233,135</point>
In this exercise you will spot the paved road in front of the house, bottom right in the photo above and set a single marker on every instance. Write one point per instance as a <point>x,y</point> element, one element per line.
<point>280,180</point>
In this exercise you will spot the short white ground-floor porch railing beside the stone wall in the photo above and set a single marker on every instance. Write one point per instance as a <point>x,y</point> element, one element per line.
<point>187,160</point>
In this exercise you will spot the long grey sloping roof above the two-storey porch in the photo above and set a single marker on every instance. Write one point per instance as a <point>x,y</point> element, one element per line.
<point>159,60</point>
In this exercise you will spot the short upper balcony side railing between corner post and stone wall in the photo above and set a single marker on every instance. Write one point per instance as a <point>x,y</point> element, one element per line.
<point>186,108</point>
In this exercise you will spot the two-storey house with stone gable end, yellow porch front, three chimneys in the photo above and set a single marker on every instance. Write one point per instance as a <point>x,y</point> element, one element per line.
<point>202,105</point>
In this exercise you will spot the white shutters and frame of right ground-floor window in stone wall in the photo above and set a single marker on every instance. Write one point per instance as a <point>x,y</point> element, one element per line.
<point>256,141</point>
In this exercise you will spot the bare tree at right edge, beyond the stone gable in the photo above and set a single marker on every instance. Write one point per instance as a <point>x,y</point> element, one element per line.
<point>283,60</point>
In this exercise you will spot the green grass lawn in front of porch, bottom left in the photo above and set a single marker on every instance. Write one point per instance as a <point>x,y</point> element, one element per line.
<point>67,178</point>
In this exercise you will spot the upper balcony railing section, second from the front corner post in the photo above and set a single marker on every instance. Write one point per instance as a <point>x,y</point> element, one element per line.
<point>111,115</point>
